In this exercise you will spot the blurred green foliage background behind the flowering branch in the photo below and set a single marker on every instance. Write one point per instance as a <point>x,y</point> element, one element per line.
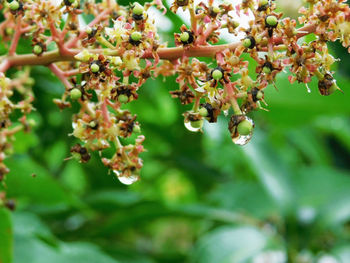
<point>284,197</point>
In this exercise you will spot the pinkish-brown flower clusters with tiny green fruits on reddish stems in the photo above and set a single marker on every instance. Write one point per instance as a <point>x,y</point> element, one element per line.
<point>103,64</point>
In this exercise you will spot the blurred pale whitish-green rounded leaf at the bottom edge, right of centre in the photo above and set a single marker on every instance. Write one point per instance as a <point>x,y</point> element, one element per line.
<point>229,245</point>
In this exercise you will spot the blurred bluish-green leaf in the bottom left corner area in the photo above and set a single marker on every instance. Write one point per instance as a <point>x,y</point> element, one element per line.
<point>34,243</point>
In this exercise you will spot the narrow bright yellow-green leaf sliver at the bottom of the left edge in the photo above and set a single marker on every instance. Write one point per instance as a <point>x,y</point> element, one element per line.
<point>6,237</point>
